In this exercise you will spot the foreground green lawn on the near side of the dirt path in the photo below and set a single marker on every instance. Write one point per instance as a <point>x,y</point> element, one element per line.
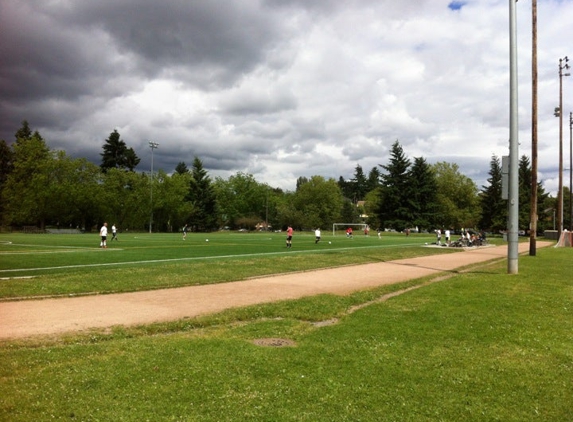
<point>479,346</point>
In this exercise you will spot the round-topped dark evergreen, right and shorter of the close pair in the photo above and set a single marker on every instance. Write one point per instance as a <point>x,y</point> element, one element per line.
<point>424,188</point>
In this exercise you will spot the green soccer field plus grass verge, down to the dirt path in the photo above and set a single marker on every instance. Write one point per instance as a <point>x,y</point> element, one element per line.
<point>46,265</point>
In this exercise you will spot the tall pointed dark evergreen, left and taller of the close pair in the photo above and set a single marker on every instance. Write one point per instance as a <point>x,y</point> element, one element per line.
<point>394,208</point>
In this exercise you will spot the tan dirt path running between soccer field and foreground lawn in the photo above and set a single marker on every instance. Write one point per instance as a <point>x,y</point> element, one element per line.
<point>55,316</point>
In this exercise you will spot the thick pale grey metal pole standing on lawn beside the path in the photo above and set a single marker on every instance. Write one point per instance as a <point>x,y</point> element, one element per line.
<point>513,211</point>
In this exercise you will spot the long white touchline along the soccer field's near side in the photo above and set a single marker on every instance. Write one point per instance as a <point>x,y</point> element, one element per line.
<point>199,258</point>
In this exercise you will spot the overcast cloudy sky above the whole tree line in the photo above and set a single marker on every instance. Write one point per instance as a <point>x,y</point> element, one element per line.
<point>284,88</point>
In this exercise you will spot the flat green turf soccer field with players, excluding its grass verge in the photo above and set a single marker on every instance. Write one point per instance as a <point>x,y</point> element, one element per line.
<point>24,255</point>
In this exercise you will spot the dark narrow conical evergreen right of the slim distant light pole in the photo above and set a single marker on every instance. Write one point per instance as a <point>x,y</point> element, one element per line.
<point>203,198</point>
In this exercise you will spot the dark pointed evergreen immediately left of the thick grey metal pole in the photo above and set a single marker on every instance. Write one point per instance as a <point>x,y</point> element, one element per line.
<point>493,207</point>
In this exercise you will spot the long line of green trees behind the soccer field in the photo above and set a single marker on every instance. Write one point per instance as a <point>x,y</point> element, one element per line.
<point>44,187</point>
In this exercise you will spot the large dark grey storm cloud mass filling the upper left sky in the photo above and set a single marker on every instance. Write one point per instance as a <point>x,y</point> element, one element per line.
<point>68,52</point>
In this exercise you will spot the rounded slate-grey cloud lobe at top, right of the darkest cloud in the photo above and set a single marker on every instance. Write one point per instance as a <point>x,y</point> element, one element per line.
<point>213,41</point>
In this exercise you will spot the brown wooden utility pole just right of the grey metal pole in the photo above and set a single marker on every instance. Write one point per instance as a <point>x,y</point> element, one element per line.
<point>533,211</point>
